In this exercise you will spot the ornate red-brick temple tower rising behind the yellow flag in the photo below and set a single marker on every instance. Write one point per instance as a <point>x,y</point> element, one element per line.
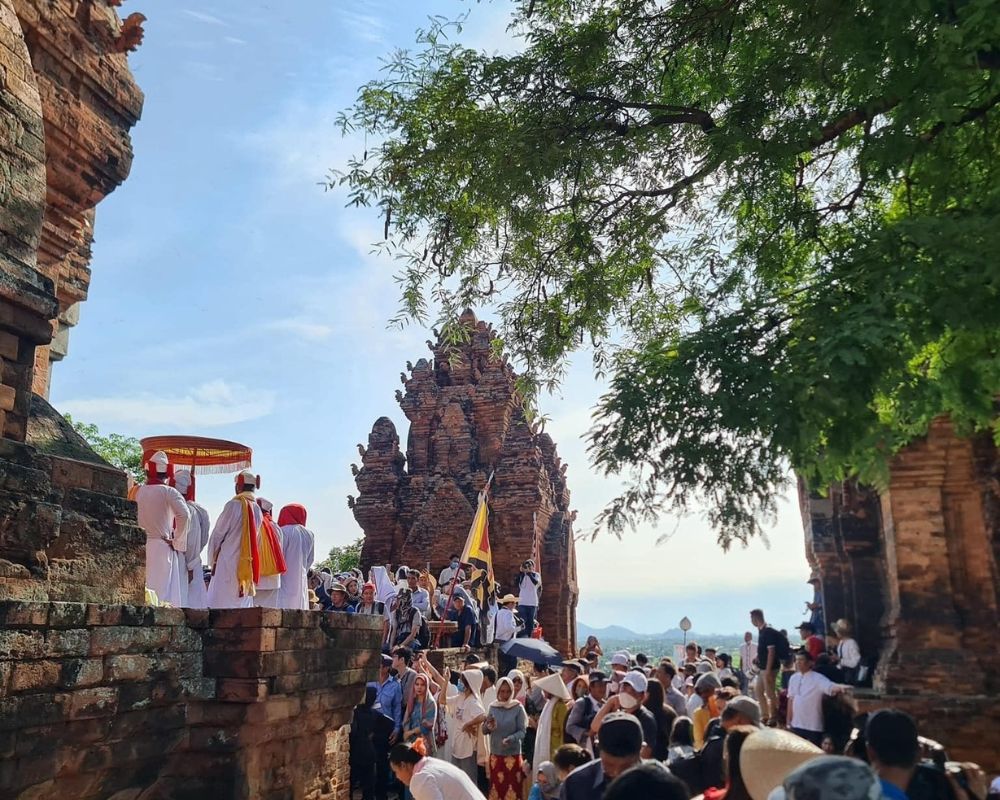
<point>465,422</point>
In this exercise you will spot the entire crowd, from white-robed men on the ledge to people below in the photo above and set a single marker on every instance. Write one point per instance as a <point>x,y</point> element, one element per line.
<point>771,720</point>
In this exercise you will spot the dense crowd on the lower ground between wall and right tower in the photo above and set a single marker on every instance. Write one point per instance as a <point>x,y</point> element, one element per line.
<point>746,726</point>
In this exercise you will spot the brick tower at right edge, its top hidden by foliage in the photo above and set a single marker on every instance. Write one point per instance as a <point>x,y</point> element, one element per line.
<point>914,568</point>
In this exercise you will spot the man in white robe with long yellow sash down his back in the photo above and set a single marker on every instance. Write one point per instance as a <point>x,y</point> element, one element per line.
<point>226,547</point>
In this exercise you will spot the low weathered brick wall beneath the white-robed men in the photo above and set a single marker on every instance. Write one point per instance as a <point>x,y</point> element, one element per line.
<point>110,701</point>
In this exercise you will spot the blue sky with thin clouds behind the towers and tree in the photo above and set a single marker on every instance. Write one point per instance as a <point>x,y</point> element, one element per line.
<point>233,297</point>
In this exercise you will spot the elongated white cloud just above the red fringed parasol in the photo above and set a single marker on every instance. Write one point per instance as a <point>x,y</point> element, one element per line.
<point>212,404</point>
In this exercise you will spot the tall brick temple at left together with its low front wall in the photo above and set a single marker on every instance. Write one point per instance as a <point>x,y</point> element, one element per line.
<point>100,696</point>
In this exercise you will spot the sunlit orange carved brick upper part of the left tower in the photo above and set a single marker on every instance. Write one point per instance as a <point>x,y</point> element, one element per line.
<point>89,102</point>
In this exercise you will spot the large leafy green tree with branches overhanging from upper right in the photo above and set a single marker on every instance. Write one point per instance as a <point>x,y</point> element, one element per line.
<point>774,223</point>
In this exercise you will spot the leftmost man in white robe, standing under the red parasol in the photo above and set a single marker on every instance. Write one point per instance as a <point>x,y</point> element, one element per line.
<point>164,516</point>
